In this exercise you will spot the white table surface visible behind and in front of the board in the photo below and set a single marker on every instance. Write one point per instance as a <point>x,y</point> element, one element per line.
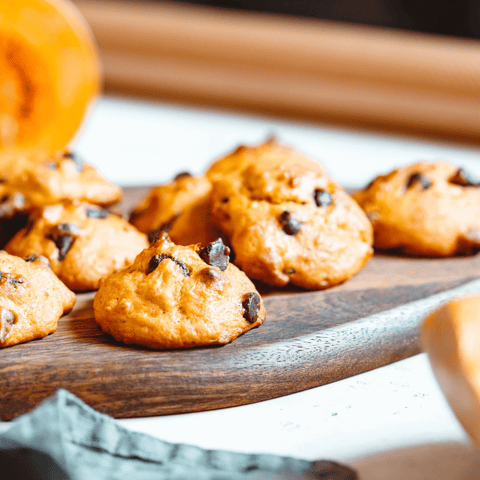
<point>392,422</point>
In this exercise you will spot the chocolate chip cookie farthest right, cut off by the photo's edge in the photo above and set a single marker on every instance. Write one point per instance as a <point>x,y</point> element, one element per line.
<point>429,209</point>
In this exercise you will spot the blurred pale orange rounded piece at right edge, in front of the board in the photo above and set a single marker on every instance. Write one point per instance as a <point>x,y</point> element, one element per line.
<point>451,337</point>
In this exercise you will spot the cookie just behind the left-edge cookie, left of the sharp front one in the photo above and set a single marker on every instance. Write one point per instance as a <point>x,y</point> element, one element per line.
<point>83,242</point>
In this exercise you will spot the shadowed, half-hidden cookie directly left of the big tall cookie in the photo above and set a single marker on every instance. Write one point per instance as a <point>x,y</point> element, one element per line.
<point>181,208</point>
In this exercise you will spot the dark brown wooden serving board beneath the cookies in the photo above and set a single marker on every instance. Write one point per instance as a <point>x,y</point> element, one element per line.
<point>307,340</point>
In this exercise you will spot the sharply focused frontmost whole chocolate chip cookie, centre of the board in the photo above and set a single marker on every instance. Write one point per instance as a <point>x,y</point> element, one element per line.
<point>176,296</point>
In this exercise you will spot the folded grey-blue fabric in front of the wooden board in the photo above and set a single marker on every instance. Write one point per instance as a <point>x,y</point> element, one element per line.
<point>63,438</point>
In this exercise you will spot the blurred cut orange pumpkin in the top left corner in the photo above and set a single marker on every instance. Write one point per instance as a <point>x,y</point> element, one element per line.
<point>49,73</point>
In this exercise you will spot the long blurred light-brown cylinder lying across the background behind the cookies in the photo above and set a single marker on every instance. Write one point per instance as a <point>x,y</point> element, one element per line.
<point>300,68</point>
